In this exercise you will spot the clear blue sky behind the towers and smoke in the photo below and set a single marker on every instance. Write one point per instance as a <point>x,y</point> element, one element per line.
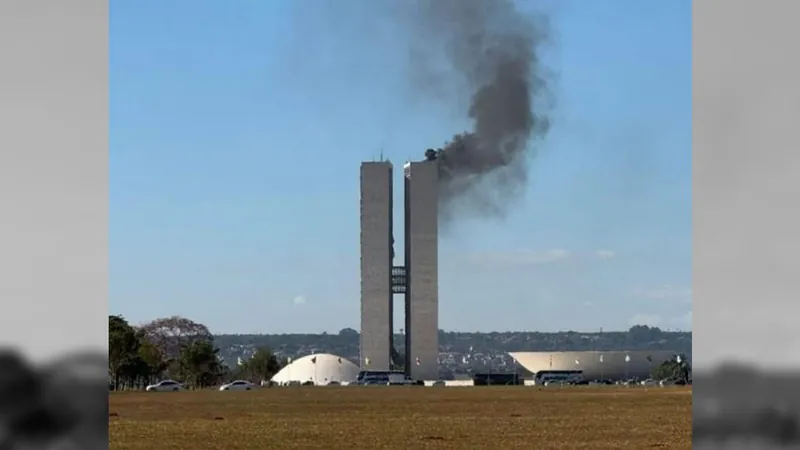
<point>237,129</point>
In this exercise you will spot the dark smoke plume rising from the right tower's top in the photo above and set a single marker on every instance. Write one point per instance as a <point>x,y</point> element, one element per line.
<point>494,49</point>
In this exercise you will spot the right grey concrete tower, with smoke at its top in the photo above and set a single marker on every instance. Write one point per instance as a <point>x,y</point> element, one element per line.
<point>422,260</point>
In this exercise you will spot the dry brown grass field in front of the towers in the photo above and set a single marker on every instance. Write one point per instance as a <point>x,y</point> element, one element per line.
<point>332,418</point>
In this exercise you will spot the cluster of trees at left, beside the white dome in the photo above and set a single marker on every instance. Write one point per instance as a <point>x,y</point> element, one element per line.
<point>179,349</point>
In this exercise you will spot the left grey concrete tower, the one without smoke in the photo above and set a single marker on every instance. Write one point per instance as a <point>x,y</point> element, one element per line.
<point>376,265</point>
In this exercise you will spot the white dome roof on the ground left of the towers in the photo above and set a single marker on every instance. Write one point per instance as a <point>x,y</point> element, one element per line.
<point>321,368</point>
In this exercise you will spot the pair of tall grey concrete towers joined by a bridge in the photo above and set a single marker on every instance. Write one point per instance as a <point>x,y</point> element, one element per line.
<point>414,280</point>
